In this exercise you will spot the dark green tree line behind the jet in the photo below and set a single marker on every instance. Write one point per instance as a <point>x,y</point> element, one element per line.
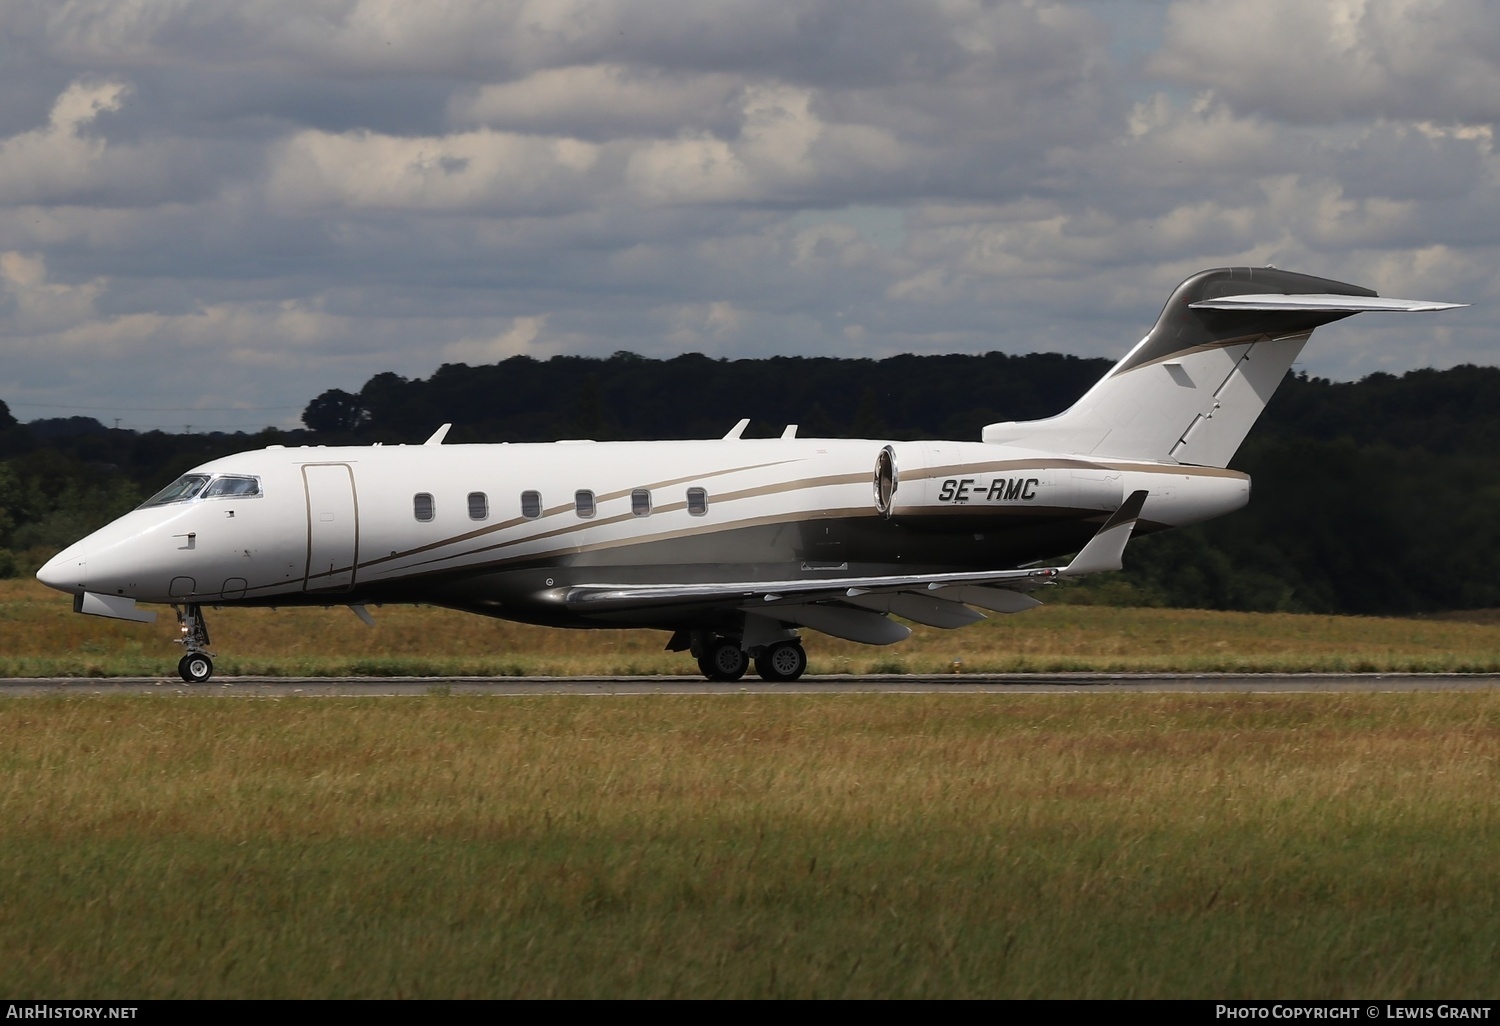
<point>1370,497</point>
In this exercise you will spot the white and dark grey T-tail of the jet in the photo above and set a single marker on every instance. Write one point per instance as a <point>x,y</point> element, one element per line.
<point>1195,386</point>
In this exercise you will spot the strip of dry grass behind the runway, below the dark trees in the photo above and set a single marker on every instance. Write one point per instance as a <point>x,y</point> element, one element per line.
<point>41,637</point>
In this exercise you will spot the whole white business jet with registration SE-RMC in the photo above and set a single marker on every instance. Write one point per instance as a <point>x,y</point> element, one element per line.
<point>731,545</point>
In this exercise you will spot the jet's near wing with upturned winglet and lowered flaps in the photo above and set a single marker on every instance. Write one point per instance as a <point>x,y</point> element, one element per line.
<point>856,608</point>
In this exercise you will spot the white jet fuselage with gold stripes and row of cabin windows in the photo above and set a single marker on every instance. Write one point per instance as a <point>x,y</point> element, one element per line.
<point>508,530</point>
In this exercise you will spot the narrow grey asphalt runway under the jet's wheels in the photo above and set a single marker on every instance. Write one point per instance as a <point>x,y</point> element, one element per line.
<point>880,685</point>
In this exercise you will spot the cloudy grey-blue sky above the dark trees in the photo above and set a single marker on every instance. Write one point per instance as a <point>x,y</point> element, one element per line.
<point>212,212</point>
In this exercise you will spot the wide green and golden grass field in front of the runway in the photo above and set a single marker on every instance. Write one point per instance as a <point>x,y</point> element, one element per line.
<point>752,845</point>
